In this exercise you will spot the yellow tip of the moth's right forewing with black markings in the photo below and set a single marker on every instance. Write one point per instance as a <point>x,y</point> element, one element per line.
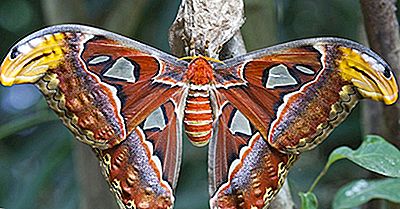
<point>369,73</point>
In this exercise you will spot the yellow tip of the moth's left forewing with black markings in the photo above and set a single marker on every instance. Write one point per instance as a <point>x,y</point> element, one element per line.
<point>30,59</point>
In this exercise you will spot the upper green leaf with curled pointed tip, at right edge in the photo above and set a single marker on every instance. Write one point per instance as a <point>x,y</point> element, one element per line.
<point>374,154</point>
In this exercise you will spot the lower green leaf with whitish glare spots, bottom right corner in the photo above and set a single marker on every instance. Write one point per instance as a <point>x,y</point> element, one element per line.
<point>361,191</point>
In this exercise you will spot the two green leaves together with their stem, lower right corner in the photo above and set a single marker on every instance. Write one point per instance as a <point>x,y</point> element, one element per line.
<point>376,155</point>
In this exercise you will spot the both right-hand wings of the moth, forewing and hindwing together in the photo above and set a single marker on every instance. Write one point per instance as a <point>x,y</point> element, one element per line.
<point>293,95</point>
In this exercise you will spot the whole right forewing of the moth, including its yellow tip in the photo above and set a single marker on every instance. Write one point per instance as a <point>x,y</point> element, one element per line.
<point>296,93</point>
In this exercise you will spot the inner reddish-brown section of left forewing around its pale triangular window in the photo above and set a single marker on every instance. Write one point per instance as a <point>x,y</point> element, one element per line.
<point>134,75</point>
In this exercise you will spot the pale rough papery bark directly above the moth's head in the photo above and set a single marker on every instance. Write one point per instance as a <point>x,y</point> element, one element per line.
<point>203,27</point>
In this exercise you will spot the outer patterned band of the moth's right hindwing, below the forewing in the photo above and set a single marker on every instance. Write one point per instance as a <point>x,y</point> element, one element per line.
<point>254,177</point>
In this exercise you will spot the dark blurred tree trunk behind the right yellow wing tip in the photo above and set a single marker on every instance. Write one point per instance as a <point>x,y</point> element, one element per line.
<point>382,29</point>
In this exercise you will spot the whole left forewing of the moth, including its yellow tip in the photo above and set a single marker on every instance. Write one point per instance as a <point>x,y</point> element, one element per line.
<point>102,85</point>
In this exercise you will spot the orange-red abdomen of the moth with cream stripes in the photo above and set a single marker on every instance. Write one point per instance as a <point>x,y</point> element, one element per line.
<point>198,118</point>
